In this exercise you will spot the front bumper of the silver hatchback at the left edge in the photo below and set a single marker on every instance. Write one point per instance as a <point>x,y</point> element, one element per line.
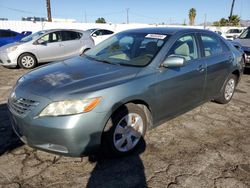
<point>8,59</point>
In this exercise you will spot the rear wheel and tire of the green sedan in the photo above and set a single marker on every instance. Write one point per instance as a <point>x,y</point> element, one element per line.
<point>227,90</point>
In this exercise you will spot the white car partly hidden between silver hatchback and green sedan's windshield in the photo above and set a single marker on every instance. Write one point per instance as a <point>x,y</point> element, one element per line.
<point>100,35</point>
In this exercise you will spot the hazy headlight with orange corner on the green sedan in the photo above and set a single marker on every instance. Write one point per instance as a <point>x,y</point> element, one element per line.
<point>70,107</point>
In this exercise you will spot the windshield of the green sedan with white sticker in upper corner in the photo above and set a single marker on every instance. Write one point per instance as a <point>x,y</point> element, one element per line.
<point>129,49</point>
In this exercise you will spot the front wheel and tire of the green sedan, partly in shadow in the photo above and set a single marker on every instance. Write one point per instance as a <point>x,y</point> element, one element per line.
<point>120,137</point>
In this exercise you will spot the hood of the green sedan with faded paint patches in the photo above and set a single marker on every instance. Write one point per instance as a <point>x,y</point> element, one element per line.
<point>75,76</point>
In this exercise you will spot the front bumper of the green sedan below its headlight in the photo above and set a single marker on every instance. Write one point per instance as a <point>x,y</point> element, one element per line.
<point>74,135</point>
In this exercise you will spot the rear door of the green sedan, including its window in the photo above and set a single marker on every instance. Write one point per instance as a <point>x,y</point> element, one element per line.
<point>218,58</point>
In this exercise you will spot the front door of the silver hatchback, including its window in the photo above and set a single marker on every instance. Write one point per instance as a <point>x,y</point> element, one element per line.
<point>52,47</point>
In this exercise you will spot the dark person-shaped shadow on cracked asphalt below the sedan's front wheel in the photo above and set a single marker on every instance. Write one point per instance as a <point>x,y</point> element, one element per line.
<point>111,172</point>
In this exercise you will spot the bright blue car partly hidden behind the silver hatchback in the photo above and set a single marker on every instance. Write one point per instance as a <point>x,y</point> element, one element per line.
<point>8,36</point>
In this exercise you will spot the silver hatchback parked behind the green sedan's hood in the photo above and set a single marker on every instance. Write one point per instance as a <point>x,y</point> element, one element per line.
<point>45,46</point>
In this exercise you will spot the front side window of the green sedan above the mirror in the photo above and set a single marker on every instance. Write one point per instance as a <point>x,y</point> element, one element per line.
<point>185,47</point>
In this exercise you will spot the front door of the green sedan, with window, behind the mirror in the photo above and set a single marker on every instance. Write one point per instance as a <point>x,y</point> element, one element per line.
<point>182,88</point>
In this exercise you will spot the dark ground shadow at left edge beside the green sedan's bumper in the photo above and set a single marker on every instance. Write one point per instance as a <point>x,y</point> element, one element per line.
<point>8,139</point>
